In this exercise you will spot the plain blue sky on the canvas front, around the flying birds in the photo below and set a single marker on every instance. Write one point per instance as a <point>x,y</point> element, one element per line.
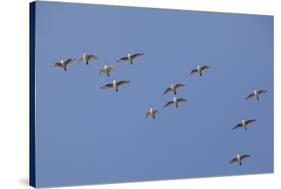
<point>87,135</point>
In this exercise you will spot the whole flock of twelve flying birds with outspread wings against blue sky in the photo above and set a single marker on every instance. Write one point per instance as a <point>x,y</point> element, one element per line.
<point>152,112</point>
